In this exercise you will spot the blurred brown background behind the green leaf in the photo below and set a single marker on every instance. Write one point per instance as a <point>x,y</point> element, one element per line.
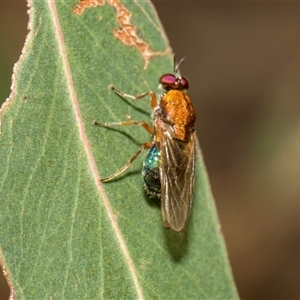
<point>243,63</point>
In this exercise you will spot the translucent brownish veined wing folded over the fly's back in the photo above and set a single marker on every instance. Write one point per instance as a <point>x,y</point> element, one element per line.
<point>177,175</point>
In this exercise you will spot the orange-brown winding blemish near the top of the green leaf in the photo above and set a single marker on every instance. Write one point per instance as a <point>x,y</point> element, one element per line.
<point>127,33</point>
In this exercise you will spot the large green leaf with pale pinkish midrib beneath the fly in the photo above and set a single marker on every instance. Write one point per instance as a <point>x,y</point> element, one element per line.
<point>64,235</point>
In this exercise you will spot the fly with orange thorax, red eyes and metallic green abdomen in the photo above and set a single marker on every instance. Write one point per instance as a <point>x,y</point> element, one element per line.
<point>169,167</point>
